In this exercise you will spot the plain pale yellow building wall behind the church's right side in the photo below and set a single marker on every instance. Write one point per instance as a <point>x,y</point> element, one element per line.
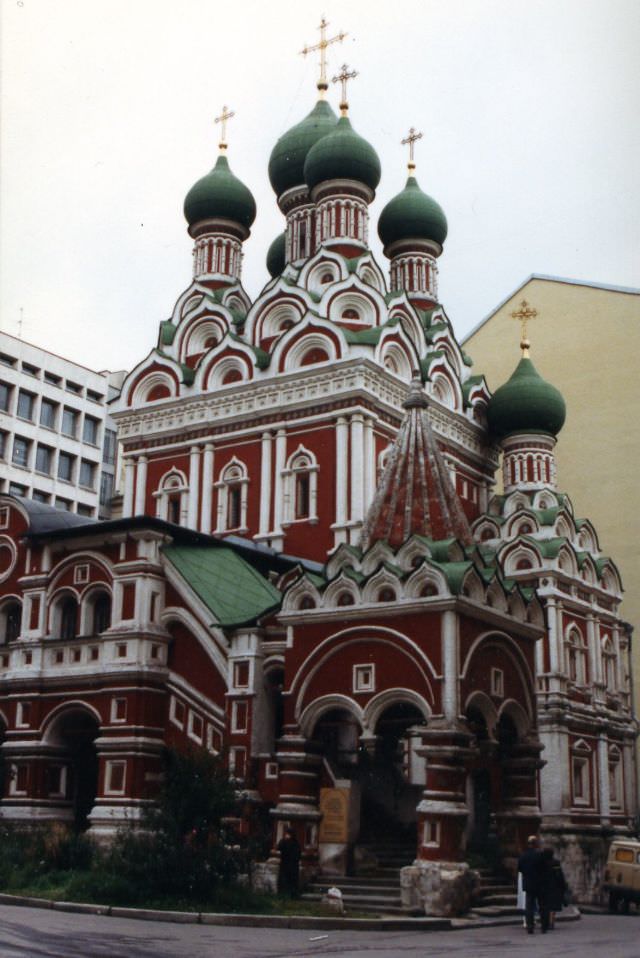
<point>586,342</point>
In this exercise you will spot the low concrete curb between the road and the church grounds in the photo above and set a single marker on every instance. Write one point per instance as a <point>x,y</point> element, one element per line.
<point>307,922</point>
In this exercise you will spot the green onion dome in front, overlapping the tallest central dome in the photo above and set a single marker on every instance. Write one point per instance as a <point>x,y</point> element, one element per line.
<point>342,155</point>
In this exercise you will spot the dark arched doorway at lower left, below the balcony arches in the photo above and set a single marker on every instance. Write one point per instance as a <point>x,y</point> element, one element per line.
<point>73,771</point>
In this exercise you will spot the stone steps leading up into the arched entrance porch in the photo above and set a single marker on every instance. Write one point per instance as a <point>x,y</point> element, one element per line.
<point>374,889</point>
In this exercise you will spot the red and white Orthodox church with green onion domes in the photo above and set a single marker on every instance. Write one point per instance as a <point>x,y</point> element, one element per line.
<point>312,573</point>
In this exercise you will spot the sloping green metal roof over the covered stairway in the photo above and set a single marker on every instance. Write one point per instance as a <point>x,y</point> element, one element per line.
<point>233,591</point>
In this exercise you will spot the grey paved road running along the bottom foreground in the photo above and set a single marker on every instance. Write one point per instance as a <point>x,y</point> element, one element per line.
<point>35,933</point>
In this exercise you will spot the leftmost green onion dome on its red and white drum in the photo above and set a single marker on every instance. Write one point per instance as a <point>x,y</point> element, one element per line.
<point>220,195</point>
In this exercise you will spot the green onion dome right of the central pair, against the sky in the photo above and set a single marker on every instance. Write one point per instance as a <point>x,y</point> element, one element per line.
<point>412,215</point>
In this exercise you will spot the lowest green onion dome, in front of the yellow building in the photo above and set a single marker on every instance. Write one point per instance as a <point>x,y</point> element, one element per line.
<point>526,403</point>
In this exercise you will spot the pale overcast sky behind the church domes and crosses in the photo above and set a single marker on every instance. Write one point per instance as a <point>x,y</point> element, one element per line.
<point>529,110</point>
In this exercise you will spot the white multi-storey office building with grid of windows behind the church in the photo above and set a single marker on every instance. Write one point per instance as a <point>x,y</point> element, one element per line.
<point>57,442</point>
